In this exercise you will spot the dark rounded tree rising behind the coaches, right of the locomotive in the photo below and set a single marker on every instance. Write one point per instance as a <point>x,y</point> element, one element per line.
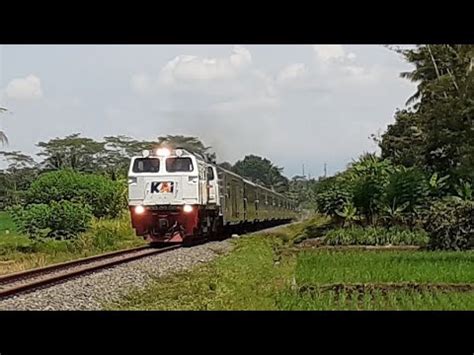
<point>262,171</point>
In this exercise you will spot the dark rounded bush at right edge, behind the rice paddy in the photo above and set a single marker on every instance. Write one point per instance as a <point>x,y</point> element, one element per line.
<point>450,224</point>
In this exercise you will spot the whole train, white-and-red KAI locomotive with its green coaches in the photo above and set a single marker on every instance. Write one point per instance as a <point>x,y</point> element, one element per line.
<point>176,196</point>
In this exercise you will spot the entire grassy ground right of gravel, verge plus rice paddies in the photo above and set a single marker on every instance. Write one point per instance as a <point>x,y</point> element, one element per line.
<point>259,275</point>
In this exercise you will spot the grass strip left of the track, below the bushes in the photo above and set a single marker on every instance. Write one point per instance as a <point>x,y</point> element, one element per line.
<point>18,252</point>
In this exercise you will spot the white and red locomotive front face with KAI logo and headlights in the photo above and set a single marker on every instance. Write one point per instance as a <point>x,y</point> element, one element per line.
<point>163,191</point>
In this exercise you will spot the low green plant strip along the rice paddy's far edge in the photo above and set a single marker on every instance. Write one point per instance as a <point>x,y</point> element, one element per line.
<point>375,236</point>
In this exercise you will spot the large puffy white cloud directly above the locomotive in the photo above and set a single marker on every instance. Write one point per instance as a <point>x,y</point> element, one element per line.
<point>185,68</point>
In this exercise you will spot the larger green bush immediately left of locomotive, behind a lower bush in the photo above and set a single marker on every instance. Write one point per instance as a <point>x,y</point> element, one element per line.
<point>105,196</point>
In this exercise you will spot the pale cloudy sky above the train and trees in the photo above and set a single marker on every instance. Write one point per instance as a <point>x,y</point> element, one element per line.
<point>294,104</point>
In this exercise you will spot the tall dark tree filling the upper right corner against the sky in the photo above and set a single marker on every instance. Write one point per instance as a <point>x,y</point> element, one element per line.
<point>442,112</point>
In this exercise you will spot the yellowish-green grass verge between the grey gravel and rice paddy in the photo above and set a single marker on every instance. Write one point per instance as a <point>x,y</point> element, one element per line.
<point>245,279</point>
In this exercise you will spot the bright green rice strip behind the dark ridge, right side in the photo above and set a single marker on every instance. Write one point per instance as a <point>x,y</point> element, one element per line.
<point>327,266</point>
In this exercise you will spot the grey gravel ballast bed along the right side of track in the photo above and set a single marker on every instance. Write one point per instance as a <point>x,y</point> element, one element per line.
<point>89,292</point>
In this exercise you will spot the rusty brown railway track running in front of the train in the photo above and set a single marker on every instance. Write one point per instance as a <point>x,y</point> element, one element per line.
<point>29,280</point>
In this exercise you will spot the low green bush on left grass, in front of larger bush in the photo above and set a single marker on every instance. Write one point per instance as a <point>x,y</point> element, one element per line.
<point>62,220</point>
